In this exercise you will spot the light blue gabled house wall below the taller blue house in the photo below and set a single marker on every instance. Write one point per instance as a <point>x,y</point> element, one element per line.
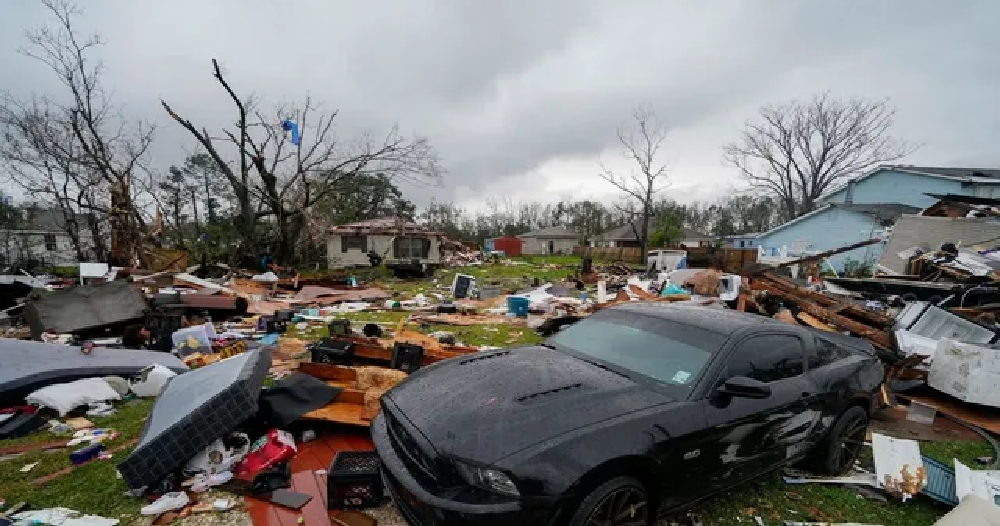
<point>833,226</point>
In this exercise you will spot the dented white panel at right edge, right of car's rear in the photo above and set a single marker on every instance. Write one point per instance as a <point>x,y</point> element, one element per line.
<point>967,372</point>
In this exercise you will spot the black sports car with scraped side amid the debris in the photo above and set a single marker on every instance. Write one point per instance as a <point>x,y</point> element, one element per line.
<point>636,410</point>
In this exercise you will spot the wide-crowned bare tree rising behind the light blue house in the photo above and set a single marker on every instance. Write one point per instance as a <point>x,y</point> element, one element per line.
<point>798,151</point>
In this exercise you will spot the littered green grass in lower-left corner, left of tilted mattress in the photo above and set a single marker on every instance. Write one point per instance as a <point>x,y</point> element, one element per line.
<point>93,488</point>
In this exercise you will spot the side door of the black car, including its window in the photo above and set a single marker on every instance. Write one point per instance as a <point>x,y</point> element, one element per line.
<point>746,436</point>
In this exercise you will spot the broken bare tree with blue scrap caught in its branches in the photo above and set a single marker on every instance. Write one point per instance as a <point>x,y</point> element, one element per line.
<point>285,179</point>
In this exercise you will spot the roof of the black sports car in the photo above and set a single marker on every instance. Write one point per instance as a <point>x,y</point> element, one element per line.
<point>723,321</point>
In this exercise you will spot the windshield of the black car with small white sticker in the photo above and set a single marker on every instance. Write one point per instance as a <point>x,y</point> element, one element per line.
<point>672,353</point>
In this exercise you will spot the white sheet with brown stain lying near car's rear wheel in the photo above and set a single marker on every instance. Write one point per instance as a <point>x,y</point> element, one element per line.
<point>898,465</point>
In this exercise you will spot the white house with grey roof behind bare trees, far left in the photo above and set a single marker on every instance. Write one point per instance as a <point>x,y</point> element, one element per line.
<point>41,236</point>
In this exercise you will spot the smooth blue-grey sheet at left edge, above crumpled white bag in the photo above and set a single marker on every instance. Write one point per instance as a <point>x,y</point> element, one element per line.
<point>26,365</point>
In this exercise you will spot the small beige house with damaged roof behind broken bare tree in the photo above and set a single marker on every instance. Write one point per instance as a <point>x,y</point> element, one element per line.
<point>394,240</point>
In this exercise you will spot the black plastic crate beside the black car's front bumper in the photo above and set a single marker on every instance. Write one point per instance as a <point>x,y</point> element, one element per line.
<point>353,481</point>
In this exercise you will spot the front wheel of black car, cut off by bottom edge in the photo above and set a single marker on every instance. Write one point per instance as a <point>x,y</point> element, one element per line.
<point>621,501</point>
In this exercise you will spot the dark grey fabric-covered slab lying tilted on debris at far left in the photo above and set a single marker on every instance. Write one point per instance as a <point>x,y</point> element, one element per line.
<point>90,307</point>
